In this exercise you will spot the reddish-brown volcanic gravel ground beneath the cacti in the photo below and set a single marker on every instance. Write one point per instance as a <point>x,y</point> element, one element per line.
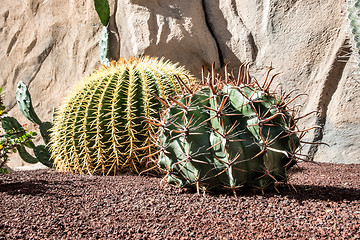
<point>45,204</point>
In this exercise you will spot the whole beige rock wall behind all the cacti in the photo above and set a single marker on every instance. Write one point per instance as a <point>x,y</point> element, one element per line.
<point>51,44</point>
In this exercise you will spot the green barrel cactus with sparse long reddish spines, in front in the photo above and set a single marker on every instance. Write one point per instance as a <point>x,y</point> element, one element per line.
<point>227,134</point>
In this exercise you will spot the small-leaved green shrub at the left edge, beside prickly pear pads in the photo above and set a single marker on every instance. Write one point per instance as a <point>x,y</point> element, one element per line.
<point>13,137</point>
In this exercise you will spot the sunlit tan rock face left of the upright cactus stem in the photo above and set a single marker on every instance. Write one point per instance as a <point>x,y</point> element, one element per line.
<point>49,45</point>
